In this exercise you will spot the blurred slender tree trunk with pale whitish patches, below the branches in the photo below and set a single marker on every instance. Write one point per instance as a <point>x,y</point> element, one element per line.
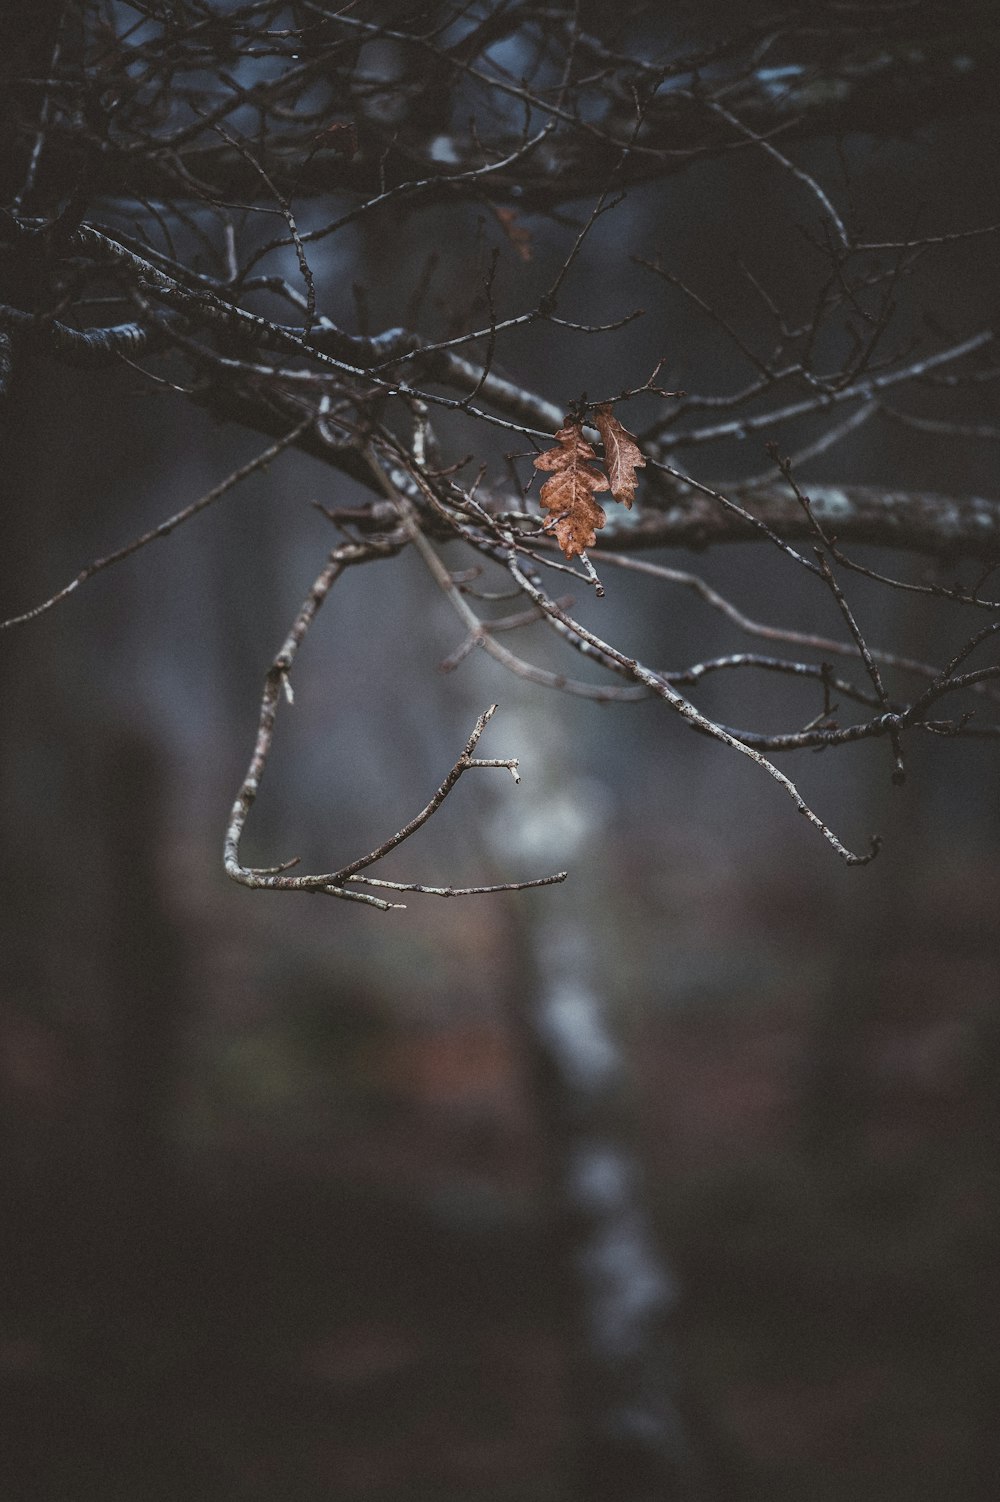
<point>630,1434</point>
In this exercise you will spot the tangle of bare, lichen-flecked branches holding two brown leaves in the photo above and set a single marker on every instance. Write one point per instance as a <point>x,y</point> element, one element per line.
<point>188,185</point>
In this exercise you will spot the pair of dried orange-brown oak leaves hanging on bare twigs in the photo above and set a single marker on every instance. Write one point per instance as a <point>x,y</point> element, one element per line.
<point>576,478</point>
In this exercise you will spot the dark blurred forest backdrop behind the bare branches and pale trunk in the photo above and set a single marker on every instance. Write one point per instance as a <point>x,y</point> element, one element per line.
<point>276,1213</point>
